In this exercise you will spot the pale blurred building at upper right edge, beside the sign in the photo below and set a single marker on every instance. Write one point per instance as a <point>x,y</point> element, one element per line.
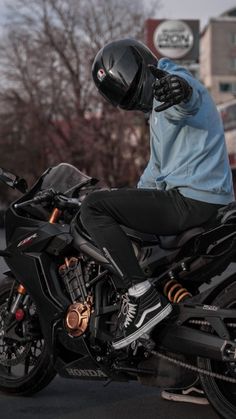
<point>218,56</point>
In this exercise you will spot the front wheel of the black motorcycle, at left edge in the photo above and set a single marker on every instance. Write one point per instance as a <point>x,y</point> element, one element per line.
<point>25,366</point>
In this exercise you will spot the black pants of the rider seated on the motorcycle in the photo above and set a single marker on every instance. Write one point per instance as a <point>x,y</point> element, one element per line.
<point>146,210</point>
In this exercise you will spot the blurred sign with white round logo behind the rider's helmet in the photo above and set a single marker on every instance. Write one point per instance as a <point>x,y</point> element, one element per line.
<point>176,39</point>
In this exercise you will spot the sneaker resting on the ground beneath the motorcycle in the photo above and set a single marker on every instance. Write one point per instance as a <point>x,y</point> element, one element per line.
<point>190,394</point>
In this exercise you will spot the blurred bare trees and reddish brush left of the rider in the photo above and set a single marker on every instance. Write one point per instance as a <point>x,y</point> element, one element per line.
<point>48,104</point>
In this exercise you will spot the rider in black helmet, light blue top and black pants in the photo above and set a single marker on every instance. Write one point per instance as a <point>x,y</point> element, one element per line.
<point>186,180</point>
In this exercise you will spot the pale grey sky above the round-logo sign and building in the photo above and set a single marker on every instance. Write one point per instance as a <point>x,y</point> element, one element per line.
<point>197,9</point>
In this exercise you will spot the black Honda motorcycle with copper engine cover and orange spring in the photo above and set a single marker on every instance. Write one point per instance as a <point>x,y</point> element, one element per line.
<point>60,299</point>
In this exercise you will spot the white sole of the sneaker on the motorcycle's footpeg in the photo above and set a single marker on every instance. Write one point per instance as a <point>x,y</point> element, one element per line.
<point>144,329</point>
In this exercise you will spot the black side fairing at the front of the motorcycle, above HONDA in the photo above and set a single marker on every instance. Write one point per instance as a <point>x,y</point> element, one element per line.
<point>34,265</point>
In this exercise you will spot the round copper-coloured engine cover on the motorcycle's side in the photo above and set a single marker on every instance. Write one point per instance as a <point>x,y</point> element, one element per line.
<point>77,318</point>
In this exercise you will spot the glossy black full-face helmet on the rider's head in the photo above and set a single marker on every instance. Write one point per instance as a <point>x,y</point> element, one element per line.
<point>121,74</point>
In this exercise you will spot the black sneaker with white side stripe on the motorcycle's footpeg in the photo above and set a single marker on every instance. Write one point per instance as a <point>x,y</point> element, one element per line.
<point>139,315</point>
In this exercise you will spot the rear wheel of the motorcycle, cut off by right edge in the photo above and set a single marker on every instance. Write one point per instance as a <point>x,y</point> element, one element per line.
<point>222,394</point>
